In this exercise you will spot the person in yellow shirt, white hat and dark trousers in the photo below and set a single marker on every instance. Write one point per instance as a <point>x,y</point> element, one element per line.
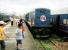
<point>2,35</point>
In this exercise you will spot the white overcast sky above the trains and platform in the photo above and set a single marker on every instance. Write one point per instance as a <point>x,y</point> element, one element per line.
<point>24,6</point>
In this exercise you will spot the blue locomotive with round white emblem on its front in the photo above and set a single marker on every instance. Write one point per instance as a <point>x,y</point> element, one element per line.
<point>40,21</point>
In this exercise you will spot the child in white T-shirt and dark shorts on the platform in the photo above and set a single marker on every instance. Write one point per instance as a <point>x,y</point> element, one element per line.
<point>19,36</point>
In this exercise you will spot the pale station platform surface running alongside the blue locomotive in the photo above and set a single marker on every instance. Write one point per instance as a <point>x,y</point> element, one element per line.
<point>28,42</point>
